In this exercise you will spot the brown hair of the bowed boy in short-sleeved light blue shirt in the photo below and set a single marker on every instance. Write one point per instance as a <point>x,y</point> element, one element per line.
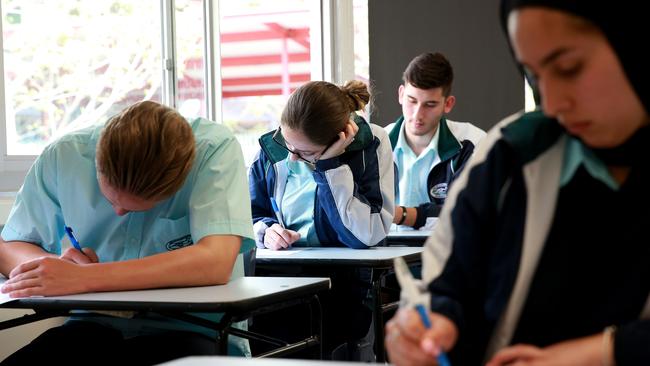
<point>147,151</point>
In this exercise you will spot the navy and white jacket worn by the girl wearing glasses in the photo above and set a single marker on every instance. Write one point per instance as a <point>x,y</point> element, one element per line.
<point>354,201</point>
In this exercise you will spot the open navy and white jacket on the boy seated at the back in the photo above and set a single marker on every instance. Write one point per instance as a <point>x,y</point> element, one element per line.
<point>456,143</point>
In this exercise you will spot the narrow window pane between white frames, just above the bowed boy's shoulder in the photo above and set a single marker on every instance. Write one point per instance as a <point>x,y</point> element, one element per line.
<point>190,55</point>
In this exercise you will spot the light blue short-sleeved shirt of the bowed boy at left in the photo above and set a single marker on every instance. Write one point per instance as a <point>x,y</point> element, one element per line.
<point>61,189</point>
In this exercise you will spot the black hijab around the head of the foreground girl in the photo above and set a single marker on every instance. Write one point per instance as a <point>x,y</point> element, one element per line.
<point>625,25</point>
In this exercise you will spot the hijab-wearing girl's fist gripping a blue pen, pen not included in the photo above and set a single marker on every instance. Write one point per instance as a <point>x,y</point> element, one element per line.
<point>408,342</point>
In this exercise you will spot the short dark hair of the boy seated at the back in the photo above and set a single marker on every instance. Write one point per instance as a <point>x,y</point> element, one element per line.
<point>430,71</point>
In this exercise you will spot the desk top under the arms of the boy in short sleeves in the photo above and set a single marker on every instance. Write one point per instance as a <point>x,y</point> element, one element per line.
<point>242,295</point>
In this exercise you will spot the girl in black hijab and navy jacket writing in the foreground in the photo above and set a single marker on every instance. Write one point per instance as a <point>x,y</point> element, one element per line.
<point>541,255</point>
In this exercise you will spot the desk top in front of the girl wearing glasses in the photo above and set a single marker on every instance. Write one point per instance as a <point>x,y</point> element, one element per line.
<point>371,257</point>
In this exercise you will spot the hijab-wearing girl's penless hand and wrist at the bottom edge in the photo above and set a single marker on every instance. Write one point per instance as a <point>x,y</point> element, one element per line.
<point>580,351</point>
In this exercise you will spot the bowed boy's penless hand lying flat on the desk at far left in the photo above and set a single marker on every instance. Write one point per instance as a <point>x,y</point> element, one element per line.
<point>45,276</point>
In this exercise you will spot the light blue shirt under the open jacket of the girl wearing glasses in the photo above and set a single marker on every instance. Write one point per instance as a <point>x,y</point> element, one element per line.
<point>298,202</point>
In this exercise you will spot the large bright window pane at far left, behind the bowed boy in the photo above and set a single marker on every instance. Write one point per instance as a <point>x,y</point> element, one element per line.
<point>68,64</point>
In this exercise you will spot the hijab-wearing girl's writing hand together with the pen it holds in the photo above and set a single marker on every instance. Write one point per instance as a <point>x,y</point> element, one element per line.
<point>416,336</point>
